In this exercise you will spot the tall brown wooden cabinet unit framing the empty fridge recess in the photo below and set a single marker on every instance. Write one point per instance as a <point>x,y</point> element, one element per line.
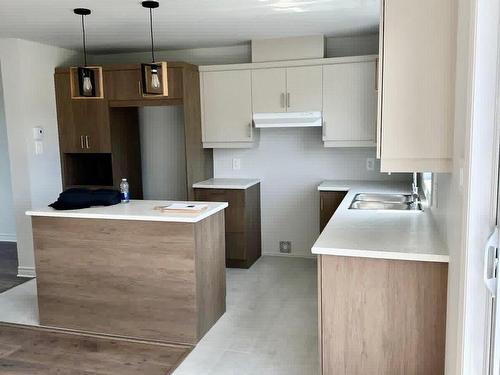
<point>99,138</point>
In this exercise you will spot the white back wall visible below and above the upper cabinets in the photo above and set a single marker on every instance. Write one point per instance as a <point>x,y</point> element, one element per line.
<point>291,162</point>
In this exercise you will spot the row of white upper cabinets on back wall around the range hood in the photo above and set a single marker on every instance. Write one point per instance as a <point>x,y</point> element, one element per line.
<point>342,89</point>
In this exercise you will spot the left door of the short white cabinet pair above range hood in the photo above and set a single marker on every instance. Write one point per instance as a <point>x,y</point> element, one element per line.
<point>269,90</point>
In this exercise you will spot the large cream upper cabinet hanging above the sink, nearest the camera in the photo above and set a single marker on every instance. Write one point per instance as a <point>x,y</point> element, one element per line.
<point>416,104</point>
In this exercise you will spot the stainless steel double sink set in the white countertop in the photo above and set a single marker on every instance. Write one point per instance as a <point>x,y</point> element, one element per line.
<point>376,201</point>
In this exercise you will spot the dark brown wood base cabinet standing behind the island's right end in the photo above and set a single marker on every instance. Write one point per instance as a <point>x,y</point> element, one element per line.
<point>242,221</point>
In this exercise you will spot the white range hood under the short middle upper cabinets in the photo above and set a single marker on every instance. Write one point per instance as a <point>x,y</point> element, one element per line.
<point>287,119</point>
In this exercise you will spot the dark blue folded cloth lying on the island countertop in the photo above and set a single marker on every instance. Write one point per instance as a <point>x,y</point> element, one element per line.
<point>76,198</point>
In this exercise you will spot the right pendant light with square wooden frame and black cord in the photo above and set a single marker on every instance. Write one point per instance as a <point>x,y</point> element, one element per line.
<point>154,74</point>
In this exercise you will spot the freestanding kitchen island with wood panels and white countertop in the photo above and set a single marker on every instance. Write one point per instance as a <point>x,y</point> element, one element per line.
<point>131,271</point>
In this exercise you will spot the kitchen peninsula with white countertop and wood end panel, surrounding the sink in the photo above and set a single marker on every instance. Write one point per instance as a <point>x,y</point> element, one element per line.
<point>382,287</point>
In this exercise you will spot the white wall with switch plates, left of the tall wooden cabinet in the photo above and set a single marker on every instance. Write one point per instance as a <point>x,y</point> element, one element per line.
<point>29,97</point>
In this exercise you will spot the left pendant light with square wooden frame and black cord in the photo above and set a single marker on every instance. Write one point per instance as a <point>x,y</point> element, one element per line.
<point>86,81</point>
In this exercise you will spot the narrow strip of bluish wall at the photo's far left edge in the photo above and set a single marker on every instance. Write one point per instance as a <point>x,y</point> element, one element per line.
<point>7,224</point>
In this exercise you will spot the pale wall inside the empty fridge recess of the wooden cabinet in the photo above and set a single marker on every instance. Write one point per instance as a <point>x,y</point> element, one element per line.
<point>163,152</point>
